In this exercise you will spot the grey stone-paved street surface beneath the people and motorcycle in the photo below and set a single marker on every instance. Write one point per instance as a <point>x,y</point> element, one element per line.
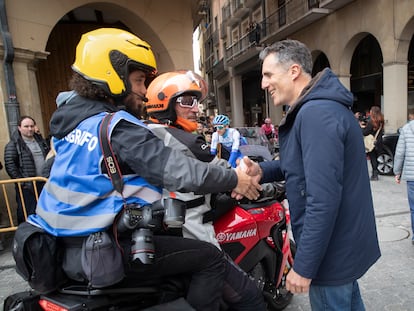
<point>388,285</point>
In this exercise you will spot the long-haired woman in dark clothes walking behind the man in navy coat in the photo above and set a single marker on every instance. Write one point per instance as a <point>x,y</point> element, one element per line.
<point>375,123</point>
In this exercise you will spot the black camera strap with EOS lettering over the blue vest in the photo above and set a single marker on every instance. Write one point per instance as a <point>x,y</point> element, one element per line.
<point>110,160</point>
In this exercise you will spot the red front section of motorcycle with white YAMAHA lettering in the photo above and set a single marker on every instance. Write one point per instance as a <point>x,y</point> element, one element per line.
<point>256,236</point>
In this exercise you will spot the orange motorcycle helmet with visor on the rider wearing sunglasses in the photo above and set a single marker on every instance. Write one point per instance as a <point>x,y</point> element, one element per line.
<point>164,90</point>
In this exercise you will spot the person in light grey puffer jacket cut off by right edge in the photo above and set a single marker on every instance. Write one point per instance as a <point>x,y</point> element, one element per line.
<point>404,162</point>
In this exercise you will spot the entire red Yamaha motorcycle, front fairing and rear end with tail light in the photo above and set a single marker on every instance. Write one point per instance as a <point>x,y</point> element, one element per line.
<point>255,235</point>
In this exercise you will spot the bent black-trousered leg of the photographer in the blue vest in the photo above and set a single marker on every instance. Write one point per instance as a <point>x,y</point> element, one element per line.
<point>202,264</point>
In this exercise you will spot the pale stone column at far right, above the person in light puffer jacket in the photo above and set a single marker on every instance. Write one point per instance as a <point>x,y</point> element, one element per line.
<point>395,95</point>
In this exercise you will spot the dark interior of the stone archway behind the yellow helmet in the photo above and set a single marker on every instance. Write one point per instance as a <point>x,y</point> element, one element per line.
<point>53,74</point>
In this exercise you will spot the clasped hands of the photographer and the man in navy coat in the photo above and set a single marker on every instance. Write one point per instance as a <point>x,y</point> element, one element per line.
<point>249,175</point>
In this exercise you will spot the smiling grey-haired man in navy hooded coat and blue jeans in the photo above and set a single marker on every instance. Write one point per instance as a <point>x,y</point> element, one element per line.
<point>322,159</point>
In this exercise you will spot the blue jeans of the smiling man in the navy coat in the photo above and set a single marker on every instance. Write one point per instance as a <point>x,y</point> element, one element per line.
<point>336,298</point>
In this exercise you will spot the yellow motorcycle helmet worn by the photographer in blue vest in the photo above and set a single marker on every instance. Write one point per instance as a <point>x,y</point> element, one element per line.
<point>106,56</point>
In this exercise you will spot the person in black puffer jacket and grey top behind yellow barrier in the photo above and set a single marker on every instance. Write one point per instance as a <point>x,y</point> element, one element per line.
<point>24,156</point>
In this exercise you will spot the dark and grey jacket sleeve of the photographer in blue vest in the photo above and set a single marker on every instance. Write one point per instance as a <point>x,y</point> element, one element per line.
<point>146,155</point>
